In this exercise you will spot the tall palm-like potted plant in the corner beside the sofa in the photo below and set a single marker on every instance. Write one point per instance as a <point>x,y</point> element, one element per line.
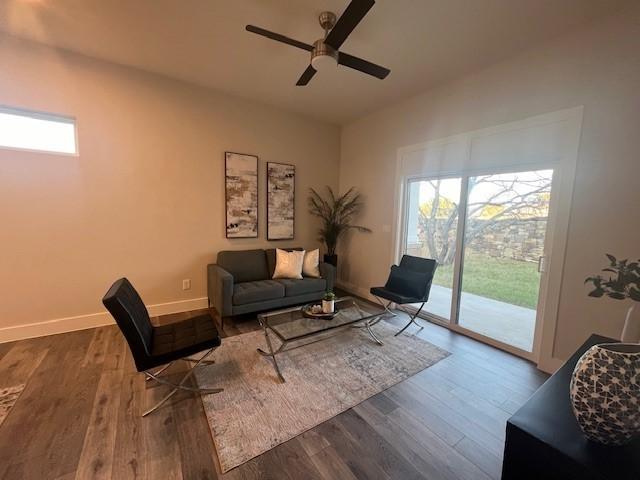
<point>337,214</point>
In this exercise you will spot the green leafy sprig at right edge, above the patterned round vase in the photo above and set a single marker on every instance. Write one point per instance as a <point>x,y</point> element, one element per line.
<point>623,280</point>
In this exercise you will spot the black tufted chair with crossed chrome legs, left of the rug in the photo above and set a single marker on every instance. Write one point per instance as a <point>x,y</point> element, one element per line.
<point>153,346</point>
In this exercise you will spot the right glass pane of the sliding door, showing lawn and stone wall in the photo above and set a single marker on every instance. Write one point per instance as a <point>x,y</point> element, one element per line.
<point>504,238</point>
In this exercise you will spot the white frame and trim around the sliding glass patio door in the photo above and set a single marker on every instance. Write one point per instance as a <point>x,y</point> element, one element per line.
<point>564,168</point>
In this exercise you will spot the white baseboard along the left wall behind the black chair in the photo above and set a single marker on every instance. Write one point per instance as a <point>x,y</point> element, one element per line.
<point>92,320</point>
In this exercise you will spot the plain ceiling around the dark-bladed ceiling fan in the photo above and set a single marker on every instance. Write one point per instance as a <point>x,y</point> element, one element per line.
<point>423,42</point>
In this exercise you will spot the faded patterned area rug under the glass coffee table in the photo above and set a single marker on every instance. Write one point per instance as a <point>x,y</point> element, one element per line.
<point>256,412</point>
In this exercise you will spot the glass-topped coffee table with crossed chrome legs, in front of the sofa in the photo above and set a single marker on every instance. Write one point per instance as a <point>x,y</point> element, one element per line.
<point>291,325</point>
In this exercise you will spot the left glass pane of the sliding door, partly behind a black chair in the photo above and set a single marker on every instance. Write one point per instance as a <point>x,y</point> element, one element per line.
<point>432,224</point>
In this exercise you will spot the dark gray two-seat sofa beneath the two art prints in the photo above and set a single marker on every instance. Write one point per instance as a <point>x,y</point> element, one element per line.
<point>241,282</point>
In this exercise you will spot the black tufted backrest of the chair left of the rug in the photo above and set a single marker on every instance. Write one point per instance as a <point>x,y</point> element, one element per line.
<point>131,315</point>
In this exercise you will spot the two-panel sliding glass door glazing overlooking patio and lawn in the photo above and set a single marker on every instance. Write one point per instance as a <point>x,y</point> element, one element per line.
<point>487,233</point>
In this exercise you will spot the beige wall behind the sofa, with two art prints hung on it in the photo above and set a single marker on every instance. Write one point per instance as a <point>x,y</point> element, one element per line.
<point>145,197</point>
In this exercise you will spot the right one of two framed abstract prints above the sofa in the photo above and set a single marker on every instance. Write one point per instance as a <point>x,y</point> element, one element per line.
<point>280,201</point>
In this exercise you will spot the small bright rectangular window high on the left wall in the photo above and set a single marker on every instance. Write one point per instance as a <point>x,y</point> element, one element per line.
<point>28,130</point>
